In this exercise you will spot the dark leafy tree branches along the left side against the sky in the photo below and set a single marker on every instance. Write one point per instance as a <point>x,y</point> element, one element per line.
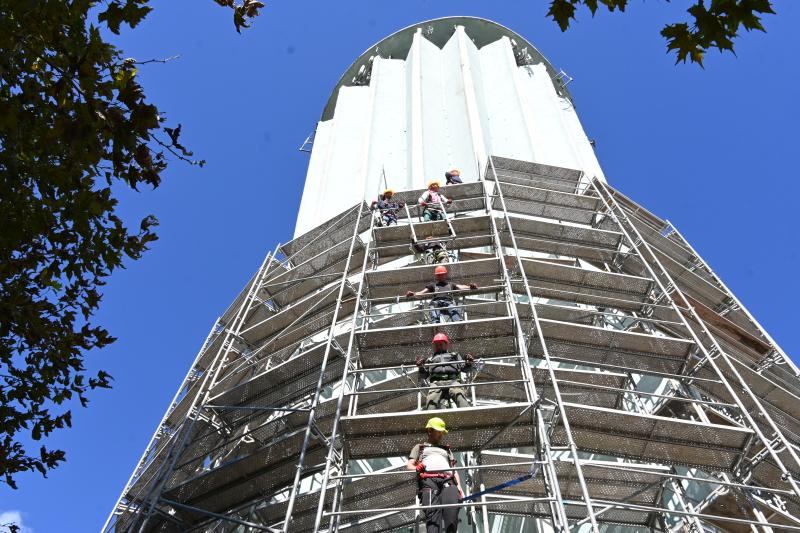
<point>74,121</point>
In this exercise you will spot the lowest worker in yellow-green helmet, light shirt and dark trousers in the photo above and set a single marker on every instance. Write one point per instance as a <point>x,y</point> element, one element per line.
<point>437,483</point>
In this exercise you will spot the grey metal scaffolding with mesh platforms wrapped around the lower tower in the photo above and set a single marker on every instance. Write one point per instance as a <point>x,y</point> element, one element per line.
<point>613,369</point>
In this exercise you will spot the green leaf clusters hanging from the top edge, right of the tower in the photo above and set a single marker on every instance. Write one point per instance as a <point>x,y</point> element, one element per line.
<point>712,24</point>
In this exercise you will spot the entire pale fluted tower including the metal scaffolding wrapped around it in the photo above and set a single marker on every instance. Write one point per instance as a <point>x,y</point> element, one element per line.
<point>608,379</point>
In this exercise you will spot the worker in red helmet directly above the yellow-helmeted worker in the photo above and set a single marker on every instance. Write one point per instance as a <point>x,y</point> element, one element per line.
<point>442,369</point>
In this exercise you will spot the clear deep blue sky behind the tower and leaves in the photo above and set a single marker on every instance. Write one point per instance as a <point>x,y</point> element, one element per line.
<point>712,150</point>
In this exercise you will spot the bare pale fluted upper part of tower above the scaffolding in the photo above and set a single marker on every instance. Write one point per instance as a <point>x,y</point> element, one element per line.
<point>433,96</point>
